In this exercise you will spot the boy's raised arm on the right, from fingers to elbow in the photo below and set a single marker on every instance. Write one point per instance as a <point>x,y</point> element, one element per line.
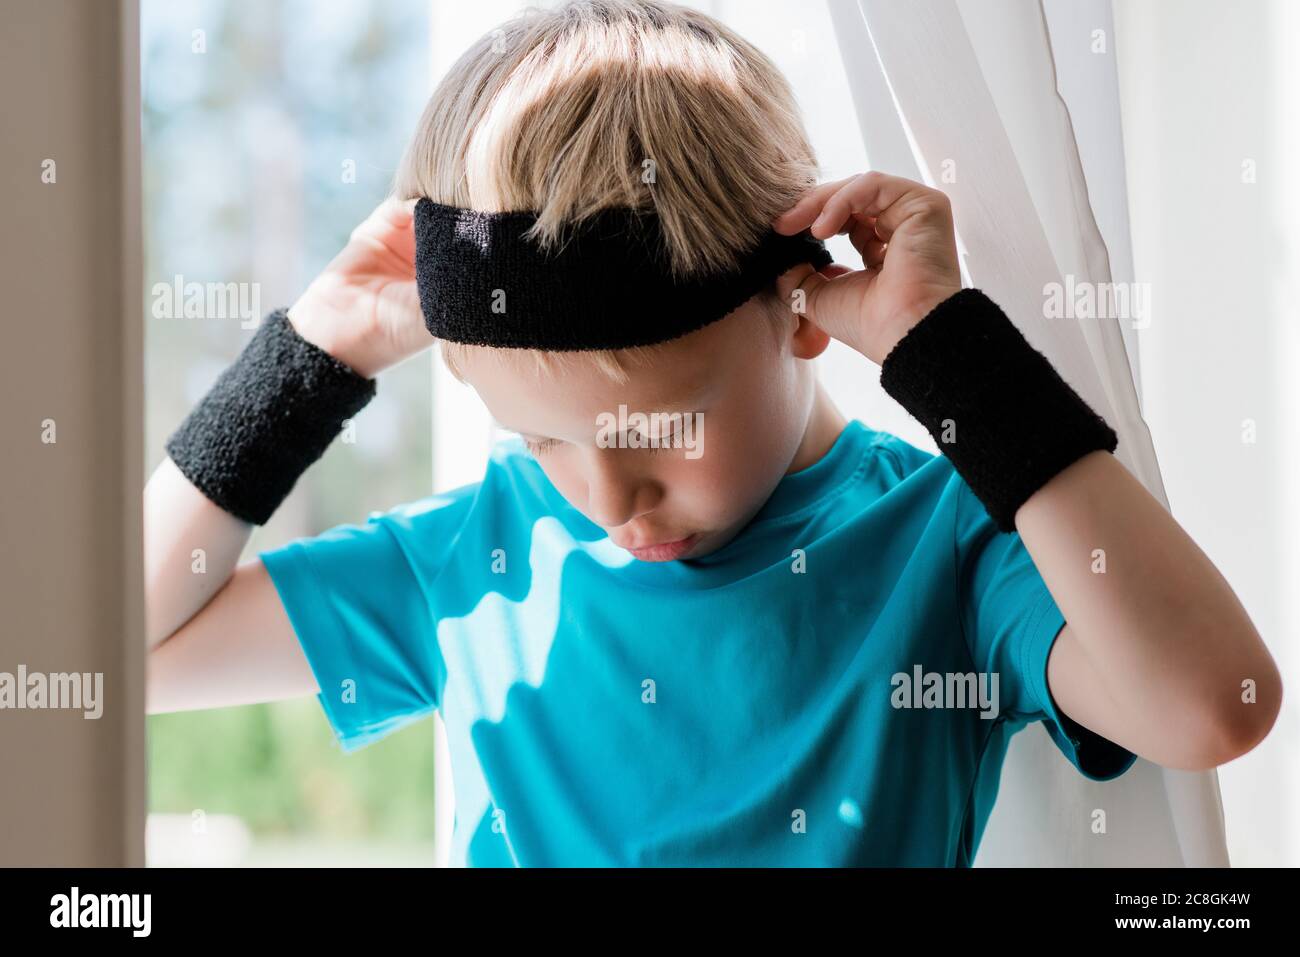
<point>1158,652</point>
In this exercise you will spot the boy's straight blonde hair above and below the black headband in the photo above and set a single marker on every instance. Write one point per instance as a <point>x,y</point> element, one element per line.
<point>616,103</point>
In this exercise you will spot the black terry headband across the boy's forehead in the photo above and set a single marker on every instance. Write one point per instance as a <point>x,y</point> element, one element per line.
<point>608,287</point>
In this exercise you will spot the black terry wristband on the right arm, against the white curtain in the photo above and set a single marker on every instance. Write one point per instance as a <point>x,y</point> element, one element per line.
<point>995,405</point>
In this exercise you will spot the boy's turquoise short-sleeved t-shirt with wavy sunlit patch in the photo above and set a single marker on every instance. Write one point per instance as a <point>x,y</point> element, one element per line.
<point>835,687</point>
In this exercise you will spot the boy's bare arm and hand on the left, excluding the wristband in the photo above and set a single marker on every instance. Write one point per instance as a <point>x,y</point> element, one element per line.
<point>222,636</point>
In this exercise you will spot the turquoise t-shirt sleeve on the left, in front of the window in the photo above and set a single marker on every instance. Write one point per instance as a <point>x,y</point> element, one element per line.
<point>359,599</point>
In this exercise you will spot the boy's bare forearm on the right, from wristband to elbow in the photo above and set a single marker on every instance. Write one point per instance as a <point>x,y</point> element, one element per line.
<point>1156,618</point>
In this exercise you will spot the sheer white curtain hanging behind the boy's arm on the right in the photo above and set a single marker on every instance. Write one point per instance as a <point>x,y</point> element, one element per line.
<point>1012,107</point>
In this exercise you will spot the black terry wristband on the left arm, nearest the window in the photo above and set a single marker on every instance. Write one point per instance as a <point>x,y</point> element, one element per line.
<point>270,415</point>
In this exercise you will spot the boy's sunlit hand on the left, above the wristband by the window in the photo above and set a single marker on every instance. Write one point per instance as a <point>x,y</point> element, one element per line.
<point>365,309</point>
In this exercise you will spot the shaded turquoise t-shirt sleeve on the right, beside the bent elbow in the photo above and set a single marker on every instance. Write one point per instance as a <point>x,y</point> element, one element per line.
<point>1011,622</point>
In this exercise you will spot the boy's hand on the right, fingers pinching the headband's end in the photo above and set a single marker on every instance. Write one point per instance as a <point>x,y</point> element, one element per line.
<point>905,235</point>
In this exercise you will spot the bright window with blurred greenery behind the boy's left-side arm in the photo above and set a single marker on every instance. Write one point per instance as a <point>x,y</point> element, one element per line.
<point>270,132</point>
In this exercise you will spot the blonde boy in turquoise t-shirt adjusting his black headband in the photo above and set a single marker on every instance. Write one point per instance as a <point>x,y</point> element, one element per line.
<point>772,636</point>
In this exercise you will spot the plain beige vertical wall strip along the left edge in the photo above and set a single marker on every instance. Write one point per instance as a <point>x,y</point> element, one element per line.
<point>72,790</point>
